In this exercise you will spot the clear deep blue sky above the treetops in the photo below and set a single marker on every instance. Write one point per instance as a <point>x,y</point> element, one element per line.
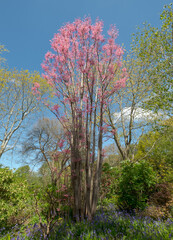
<point>27,26</point>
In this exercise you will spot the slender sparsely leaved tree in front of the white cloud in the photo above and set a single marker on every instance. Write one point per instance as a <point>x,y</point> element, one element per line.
<point>126,118</point>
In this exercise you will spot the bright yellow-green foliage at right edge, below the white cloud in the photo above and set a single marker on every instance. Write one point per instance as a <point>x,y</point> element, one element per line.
<point>157,148</point>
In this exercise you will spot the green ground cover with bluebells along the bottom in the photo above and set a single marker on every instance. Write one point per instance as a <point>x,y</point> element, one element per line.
<point>110,224</point>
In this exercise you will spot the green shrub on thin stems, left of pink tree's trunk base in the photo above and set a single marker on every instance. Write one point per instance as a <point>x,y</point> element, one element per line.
<point>50,204</point>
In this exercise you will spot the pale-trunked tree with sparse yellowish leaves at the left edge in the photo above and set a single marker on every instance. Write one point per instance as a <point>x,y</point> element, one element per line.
<point>16,104</point>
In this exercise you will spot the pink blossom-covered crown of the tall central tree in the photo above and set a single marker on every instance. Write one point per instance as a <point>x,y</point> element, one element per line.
<point>81,70</point>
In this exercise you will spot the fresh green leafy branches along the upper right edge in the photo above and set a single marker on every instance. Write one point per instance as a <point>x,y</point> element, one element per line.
<point>154,46</point>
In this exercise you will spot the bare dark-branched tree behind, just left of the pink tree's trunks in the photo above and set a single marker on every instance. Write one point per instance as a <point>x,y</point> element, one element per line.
<point>46,145</point>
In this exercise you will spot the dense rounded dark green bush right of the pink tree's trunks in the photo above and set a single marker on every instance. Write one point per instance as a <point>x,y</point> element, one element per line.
<point>135,185</point>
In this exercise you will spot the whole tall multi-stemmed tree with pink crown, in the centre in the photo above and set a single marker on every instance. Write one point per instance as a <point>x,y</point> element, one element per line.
<point>81,72</point>
